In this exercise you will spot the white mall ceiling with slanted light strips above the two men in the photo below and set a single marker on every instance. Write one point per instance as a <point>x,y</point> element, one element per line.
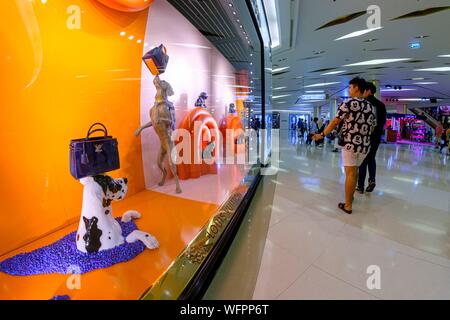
<point>395,36</point>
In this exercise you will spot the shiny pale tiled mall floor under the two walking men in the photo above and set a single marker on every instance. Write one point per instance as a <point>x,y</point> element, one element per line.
<point>313,251</point>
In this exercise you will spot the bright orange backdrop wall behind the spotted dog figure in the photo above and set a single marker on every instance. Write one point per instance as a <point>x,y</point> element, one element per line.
<point>63,66</point>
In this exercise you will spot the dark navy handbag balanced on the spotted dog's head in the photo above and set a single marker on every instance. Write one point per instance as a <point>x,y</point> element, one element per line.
<point>93,156</point>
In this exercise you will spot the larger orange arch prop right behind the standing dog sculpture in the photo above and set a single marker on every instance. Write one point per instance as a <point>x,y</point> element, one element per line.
<point>208,129</point>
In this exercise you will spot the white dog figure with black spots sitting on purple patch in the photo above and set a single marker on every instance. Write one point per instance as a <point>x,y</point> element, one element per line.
<point>98,230</point>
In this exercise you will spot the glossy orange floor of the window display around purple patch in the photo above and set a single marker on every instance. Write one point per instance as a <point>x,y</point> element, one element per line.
<point>173,220</point>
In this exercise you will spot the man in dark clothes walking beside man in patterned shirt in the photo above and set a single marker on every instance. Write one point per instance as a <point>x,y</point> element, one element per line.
<point>375,140</point>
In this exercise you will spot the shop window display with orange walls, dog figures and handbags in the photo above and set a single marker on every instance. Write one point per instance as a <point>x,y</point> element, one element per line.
<point>130,119</point>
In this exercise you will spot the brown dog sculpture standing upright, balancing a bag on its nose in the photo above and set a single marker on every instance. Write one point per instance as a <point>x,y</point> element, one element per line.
<point>162,117</point>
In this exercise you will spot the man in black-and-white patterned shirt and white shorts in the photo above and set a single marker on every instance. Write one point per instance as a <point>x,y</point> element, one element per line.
<point>359,121</point>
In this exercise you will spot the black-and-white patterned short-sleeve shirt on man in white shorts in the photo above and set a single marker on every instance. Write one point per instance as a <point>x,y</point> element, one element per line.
<point>359,120</point>
